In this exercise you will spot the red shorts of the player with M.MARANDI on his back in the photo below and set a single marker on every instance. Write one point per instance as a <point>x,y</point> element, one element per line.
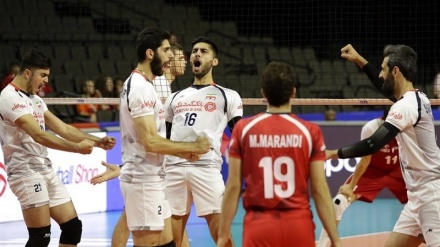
<point>273,228</point>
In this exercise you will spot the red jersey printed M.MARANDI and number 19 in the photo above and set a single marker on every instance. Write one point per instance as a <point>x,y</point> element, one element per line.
<point>276,151</point>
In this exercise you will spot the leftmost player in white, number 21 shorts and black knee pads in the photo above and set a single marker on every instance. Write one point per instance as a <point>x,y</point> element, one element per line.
<point>23,120</point>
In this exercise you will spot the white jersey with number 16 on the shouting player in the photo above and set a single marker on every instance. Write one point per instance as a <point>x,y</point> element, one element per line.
<point>204,110</point>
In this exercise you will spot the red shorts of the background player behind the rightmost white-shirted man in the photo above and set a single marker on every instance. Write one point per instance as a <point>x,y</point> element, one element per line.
<point>374,180</point>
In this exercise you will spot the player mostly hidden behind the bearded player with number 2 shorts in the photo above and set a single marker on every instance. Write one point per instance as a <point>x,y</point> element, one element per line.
<point>177,68</point>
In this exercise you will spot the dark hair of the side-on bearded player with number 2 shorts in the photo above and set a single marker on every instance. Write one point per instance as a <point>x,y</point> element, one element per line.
<point>149,38</point>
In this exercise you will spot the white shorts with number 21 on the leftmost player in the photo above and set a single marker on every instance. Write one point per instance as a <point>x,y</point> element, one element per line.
<point>39,189</point>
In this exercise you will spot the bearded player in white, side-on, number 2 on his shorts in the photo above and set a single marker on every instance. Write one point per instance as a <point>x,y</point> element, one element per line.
<point>144,144</point>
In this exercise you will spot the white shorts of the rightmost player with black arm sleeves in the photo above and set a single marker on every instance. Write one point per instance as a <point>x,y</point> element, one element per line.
<point>423,220</point>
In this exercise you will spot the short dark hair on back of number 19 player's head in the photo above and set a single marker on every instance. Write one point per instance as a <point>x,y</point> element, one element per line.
<point>278,81</point>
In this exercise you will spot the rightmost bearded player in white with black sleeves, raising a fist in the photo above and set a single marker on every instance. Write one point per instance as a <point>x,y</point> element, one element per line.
<point>410,120</point>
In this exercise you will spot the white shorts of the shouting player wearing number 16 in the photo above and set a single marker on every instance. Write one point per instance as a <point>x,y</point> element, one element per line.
<point>204,185</point>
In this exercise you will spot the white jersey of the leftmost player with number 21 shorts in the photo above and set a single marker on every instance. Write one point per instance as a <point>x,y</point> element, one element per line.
<point>23,156</point>
